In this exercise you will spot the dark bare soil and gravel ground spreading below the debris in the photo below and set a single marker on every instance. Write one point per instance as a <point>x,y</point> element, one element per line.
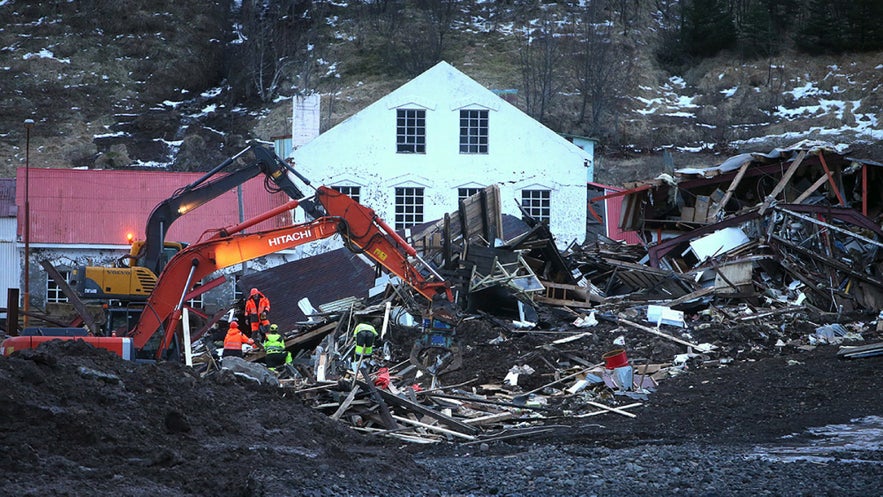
<point>79,421</point>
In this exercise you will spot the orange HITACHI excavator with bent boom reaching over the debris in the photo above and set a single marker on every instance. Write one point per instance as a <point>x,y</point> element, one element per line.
<point>361,229</point>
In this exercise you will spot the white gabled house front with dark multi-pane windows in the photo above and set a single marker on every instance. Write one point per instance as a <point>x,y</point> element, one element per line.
<point>441,137</point>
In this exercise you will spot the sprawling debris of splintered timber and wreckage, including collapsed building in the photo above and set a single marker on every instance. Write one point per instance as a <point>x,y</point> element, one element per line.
<point>545,336</point>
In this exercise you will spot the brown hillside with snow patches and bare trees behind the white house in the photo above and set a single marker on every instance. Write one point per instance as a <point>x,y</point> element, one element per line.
<point>184,85</point>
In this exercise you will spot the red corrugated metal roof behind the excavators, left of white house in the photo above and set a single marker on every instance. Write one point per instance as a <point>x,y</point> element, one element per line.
<point>98,207</point>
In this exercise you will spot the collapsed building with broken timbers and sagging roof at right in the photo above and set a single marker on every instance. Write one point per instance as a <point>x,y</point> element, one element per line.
<point>799,224</point>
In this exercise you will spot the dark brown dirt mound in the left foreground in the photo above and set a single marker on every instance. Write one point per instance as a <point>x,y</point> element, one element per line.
<point>93,424</point>
